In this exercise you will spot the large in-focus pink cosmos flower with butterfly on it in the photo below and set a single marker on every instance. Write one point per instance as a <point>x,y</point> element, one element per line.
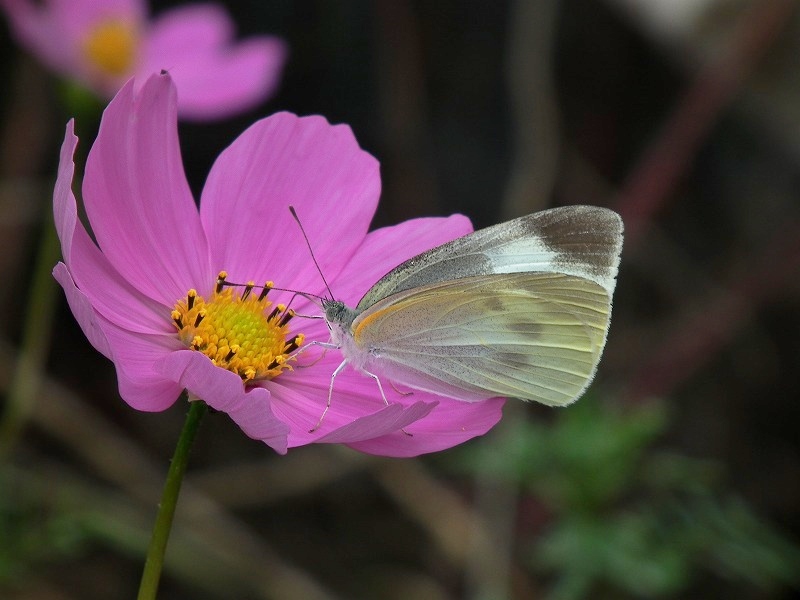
<point>144,293</point>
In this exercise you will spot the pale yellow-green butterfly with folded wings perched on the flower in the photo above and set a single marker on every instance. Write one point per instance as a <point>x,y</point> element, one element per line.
<point>520,309</point>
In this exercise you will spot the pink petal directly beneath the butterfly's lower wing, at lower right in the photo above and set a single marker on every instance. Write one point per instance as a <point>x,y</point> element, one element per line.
<point>449,424</point>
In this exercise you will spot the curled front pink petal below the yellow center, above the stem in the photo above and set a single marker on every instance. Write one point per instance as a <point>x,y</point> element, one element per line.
<point>223,391</point>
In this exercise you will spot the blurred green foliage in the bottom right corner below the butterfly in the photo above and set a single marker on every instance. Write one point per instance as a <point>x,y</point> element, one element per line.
<point>626,516</point>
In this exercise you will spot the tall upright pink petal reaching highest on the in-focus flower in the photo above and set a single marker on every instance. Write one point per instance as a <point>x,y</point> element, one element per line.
<point>137,198</point>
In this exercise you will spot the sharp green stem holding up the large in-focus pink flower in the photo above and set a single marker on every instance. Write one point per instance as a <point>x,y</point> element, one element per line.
<point>169,499</point>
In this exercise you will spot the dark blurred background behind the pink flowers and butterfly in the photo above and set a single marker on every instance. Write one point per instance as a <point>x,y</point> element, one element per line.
<point>676,476</point>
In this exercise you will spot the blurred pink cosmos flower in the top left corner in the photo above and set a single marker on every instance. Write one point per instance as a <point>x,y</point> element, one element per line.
<point>102,43</point>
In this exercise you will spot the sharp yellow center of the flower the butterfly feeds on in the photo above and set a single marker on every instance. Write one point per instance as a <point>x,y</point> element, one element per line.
<point>237,331</point>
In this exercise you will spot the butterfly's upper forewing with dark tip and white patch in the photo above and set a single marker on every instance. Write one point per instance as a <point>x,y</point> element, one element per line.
<point>582,241</point>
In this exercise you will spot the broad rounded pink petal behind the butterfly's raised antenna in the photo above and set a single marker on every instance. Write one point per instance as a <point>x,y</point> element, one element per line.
<point>280,161</point>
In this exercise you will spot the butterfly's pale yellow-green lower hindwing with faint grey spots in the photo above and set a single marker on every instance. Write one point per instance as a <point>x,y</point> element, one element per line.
<point>535,336</point>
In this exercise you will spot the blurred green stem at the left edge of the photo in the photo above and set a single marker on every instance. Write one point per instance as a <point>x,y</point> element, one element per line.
<point>35,344</point>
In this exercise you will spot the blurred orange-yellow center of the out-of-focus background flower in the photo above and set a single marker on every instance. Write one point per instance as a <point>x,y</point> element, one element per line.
<point>111,46</point>
